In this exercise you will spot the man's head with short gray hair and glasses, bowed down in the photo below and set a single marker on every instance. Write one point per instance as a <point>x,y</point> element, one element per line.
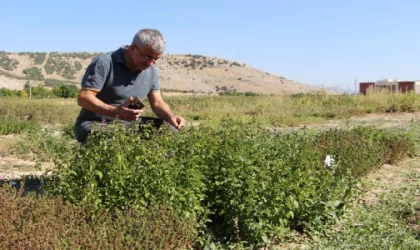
<point>146,48</point>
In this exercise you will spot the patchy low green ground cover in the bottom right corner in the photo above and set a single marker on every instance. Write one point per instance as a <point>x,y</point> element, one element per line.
<point>387,219</point>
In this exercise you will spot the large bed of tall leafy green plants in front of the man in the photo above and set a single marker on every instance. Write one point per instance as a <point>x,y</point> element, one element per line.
<point>242,184</point>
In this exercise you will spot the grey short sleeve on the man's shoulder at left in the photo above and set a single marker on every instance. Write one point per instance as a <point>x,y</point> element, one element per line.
<point>95,75</point>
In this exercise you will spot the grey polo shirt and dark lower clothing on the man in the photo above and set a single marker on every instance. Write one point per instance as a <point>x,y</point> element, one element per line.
<point>110,75</point>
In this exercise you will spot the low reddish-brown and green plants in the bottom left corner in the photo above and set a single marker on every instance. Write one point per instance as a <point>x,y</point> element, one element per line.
<point>38,222</point>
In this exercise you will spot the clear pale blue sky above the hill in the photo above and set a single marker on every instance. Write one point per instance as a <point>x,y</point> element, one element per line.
<point>330,43</point>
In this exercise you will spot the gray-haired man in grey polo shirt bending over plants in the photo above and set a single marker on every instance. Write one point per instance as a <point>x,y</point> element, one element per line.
<point>113,79</point>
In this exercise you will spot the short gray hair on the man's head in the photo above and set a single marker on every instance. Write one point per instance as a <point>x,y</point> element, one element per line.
<point>150,37</point>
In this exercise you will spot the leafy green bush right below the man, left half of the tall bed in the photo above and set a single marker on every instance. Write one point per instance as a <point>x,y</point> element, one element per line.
<point>123,172</point>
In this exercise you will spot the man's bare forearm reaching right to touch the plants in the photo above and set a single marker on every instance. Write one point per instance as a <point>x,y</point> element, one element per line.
<point>162,109</point>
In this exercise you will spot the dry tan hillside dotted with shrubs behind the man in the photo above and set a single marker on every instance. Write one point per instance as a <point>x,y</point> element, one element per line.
<point>179,73</point>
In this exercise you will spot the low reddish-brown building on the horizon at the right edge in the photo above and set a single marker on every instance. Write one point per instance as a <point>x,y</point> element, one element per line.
<point>392,85</point>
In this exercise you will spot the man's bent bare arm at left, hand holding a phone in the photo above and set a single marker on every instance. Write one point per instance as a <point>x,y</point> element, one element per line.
<point>88,100</point>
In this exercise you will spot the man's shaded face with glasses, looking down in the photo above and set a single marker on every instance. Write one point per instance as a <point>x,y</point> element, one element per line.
<point>144,57</point>
